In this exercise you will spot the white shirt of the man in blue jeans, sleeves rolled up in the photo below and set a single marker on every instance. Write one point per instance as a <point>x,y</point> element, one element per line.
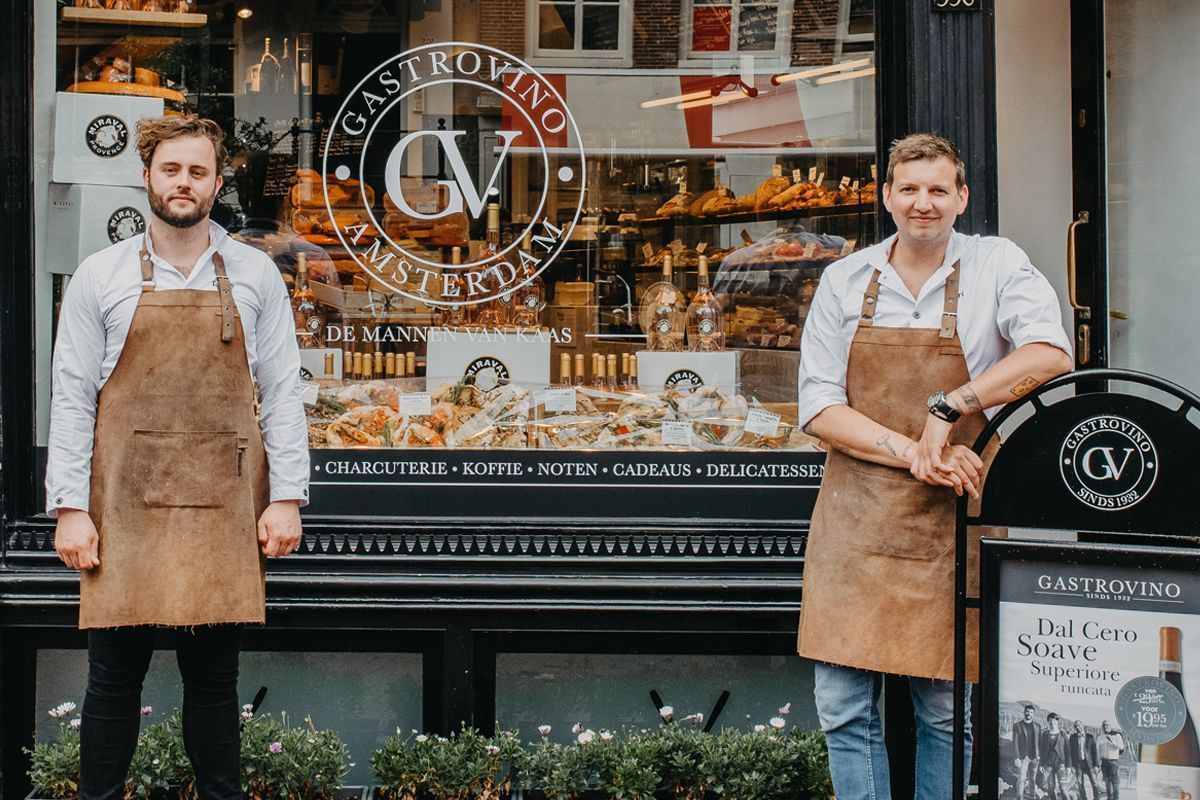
<point>1004,304</point>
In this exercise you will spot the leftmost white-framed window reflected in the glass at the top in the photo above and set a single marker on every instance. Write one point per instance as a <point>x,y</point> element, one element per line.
<point>575,31</point>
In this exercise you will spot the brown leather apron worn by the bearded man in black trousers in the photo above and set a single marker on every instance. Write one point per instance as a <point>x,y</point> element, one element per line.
<point>179,474</point>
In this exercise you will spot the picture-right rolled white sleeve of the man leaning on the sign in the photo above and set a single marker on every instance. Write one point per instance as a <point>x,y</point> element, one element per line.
<point>1028,308</point>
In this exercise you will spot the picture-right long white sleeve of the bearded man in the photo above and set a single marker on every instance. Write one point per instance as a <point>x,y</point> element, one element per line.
<point>281,411</point>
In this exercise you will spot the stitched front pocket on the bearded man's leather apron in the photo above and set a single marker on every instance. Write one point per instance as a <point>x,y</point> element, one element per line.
<point>187,470</point>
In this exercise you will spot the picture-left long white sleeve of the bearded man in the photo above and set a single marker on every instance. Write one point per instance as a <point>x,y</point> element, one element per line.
<point>75,392</point>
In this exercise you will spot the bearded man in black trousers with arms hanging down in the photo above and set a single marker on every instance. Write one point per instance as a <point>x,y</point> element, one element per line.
<point>169,490</point>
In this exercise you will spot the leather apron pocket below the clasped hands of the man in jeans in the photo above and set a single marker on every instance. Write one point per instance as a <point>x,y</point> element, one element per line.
<point>898,516</point>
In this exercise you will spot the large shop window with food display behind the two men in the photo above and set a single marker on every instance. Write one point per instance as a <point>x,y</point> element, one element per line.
<point>476,215</point>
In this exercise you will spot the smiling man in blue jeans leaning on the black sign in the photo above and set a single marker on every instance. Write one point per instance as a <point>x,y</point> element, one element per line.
<point>905,345</point>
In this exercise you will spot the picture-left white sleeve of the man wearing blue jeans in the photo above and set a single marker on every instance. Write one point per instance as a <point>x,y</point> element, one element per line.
<point>825,352</point>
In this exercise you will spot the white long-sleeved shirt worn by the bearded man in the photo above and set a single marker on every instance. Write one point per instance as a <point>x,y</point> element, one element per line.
<point>98,309</point>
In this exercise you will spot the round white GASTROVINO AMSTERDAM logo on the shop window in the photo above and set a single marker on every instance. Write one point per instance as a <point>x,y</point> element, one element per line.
<point>374,128</point>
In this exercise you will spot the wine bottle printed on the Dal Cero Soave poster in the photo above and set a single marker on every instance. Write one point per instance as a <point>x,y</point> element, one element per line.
<point>1172,771</point>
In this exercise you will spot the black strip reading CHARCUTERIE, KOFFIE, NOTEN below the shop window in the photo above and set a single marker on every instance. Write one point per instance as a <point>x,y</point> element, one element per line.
<point>773,485</point>
